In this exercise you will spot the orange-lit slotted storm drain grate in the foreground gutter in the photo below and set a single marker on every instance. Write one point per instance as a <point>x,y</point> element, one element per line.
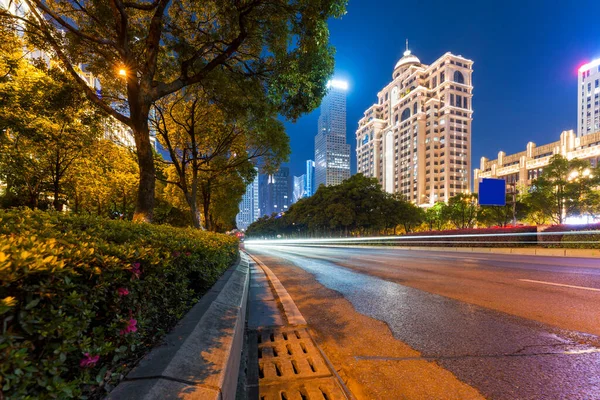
<point>290,367</point>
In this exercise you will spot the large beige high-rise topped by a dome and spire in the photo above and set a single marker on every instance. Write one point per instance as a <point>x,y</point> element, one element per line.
<point>416,140</point>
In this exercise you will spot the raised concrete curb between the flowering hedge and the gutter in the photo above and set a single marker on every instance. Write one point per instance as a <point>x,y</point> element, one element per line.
<point>200,357</point>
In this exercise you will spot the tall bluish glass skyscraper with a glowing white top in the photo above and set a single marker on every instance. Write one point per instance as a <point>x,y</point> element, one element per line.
<point>332,153</point>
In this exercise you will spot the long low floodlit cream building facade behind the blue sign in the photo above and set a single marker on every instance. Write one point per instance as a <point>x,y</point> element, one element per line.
<point>521,168</point>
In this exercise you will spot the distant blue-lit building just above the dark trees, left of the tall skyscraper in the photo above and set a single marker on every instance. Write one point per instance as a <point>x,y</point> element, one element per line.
<point>275,192</point>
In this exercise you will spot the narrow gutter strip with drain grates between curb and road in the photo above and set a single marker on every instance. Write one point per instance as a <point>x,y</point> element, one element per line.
<point>284,362</point>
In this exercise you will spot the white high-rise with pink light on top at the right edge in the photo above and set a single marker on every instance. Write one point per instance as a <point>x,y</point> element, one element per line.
<point>588,101</point>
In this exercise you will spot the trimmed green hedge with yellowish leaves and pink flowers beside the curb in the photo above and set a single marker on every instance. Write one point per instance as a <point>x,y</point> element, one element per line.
<point>82,298</point>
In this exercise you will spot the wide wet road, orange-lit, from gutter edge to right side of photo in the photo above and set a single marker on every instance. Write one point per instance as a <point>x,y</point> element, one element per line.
<point>427,325</point>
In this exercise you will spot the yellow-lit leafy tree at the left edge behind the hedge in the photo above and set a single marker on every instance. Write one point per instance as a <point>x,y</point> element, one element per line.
<point>45,126</point>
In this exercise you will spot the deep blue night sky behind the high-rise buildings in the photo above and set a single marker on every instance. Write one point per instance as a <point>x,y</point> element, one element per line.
<point>526,55</point>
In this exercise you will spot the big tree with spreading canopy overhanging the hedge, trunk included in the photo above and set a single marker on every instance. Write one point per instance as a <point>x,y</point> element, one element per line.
<point>143,51</point>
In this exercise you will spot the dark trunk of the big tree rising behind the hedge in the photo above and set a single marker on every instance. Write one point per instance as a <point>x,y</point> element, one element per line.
<point>144,208</point>
